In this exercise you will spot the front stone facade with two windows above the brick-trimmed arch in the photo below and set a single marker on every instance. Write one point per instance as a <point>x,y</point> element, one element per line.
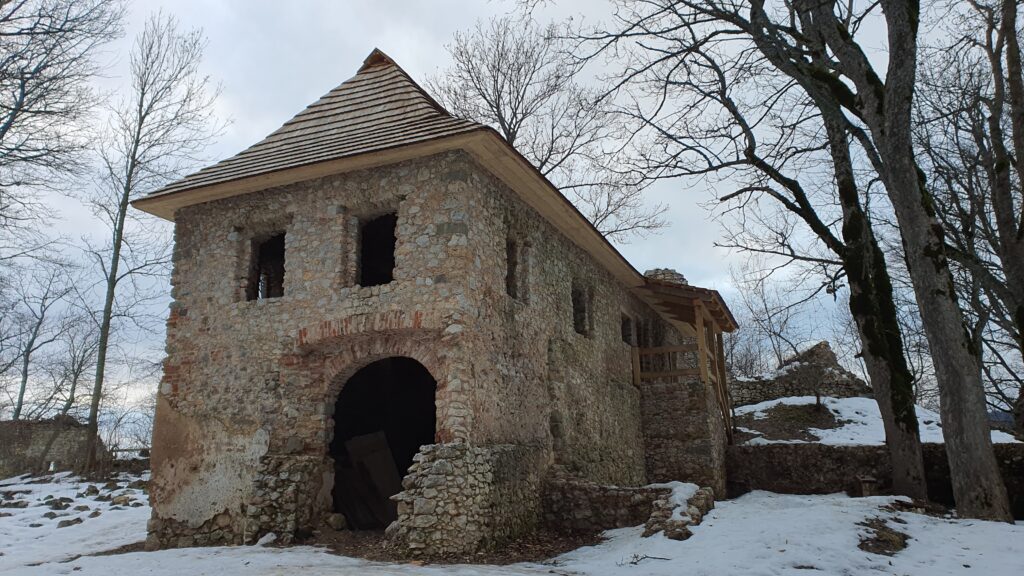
<point>249,386</point>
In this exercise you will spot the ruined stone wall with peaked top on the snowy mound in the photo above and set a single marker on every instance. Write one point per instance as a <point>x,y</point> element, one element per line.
<point>815,372</point>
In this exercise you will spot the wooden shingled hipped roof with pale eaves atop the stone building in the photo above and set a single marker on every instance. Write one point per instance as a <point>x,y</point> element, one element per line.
<point>381,116</point>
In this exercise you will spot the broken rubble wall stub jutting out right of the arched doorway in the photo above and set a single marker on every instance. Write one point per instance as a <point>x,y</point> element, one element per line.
<point>459,499</point>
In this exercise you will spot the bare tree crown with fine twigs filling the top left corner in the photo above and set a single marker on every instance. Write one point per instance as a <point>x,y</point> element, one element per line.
<point>49,52</point>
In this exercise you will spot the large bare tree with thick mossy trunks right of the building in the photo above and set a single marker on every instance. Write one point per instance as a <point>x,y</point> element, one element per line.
<point>814,46</point>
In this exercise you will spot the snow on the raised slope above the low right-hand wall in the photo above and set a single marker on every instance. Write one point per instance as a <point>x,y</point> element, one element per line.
<point>862,423</point>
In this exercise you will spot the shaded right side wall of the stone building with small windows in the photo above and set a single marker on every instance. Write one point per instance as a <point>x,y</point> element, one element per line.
<point>539,380</point>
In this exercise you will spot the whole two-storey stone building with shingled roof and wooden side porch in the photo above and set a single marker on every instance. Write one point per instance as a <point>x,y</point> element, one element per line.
<point>386,312</point>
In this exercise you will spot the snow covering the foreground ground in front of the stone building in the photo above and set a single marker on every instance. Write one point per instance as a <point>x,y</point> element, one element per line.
<point>759,534</point>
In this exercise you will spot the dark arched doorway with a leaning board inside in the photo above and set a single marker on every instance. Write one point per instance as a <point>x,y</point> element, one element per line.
<point>386,413</point>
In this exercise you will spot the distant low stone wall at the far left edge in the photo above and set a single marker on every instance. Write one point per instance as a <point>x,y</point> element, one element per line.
<point>28,446</point>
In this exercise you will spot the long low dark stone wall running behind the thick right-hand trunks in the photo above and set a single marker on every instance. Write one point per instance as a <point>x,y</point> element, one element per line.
<point>818,469</point>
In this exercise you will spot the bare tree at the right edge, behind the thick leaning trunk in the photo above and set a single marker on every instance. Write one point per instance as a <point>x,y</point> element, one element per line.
<point>970,130</point>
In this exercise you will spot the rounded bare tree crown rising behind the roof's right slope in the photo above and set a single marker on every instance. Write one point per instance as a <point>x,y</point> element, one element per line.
<point>514,75</point>
